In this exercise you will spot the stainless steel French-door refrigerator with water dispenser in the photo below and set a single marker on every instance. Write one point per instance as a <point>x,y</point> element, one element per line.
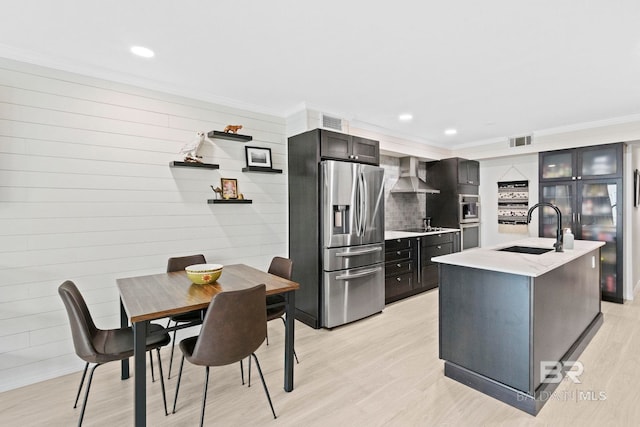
<point>352,230</point>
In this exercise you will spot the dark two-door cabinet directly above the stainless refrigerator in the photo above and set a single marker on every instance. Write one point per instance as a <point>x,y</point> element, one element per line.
<point>339,146</point>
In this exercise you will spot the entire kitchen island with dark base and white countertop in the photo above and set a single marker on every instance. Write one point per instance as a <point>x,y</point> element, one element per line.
<point>508,320</point>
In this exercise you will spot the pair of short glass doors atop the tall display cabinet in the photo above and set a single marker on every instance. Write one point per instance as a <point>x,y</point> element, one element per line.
<point>601,161</point>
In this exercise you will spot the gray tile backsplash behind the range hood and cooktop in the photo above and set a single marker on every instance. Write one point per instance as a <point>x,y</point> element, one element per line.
<point>401,210</point>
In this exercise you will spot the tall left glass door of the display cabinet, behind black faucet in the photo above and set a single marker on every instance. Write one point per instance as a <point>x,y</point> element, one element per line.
<point>563,195</point>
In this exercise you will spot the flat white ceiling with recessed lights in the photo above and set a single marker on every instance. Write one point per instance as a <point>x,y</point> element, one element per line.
<point>491,69</point>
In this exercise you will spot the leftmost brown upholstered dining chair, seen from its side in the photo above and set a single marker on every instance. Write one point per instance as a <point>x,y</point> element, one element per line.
<point>100,346</point>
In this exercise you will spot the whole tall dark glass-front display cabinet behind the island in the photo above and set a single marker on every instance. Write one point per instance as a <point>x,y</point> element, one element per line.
<point>586,185</point>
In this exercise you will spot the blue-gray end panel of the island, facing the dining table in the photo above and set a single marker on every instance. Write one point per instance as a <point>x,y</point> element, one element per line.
<point>485,323</point>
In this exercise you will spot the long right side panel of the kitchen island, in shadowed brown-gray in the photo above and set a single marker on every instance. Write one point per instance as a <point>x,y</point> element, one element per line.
<point>566,301</point>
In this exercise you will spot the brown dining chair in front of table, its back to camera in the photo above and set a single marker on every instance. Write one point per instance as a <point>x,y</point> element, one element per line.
<point>234,326</point>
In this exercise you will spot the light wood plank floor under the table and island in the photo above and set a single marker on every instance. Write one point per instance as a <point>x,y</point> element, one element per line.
<point>381,371</point>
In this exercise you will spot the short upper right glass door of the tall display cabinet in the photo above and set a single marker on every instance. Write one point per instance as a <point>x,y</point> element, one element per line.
<point>600,162</point>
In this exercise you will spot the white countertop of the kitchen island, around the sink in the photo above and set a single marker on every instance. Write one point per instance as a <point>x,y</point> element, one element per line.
<point>517,263</point>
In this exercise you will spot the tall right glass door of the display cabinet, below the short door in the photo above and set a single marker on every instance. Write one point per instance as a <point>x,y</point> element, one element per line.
<point>600,218</point>
